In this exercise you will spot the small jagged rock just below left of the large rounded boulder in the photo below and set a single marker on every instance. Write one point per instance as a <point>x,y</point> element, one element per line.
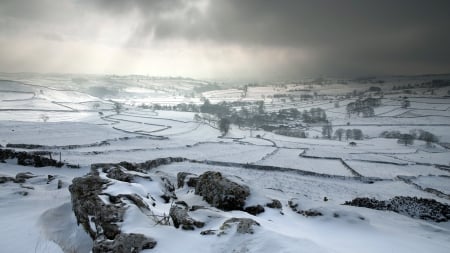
<point>179,214</point>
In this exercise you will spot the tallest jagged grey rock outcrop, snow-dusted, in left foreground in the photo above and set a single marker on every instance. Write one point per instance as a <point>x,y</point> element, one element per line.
<point>102,218</point>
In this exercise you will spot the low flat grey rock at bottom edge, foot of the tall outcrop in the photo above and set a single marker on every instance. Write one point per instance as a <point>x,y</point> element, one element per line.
<point>124,243</point>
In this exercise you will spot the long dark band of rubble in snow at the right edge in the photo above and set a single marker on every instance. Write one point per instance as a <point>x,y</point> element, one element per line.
<point>419,208</point>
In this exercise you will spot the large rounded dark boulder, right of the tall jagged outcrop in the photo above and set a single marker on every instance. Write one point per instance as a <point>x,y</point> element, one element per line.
<point>221,192</point>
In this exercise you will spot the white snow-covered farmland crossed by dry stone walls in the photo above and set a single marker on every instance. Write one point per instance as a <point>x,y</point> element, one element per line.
<point>84,129</point>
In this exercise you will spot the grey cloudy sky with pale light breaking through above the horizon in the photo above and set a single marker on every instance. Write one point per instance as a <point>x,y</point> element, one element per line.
<point>245,39</point>
